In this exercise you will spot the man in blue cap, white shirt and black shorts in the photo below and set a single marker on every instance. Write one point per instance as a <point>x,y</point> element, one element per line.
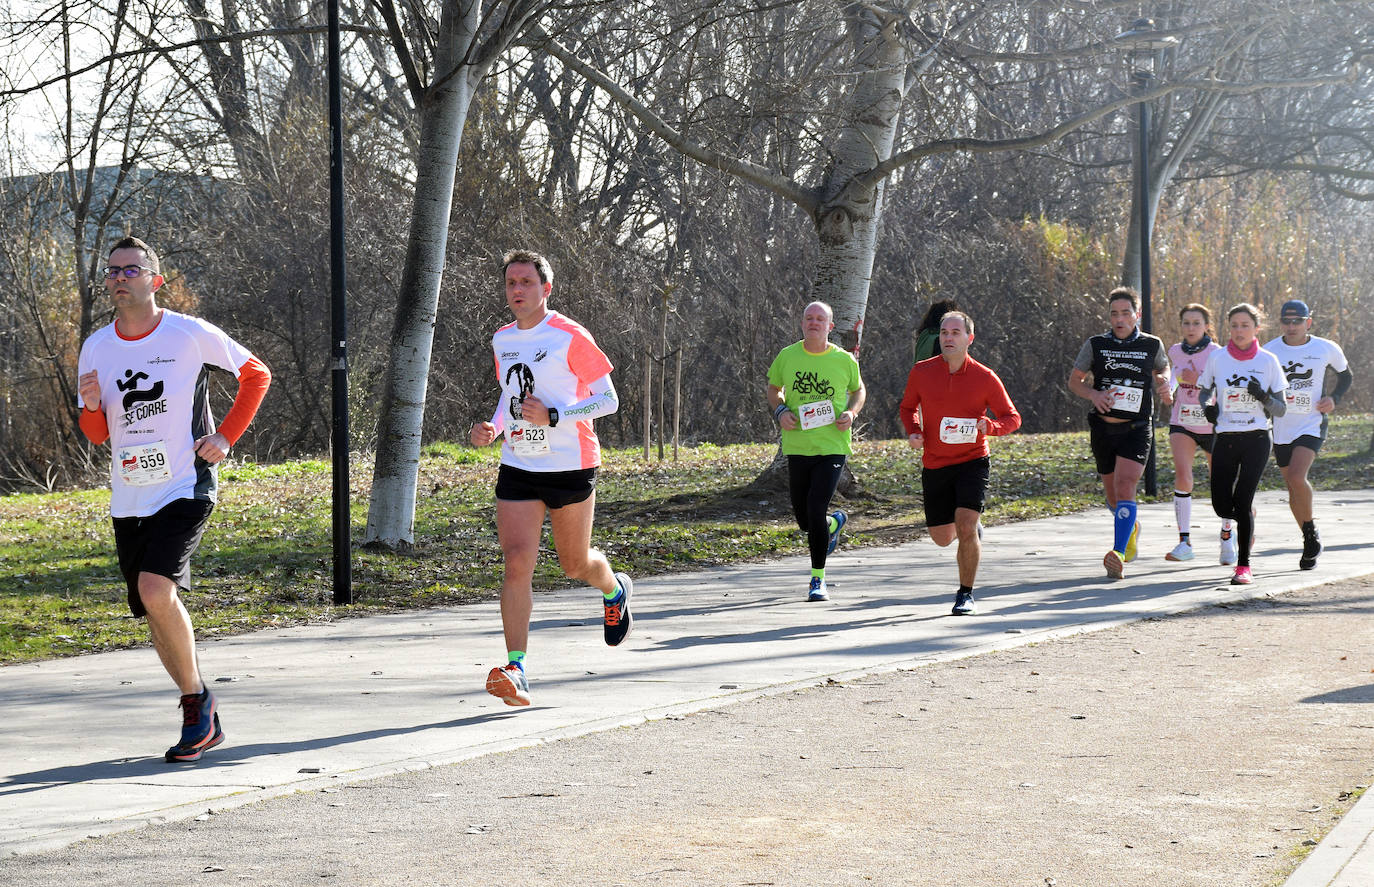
<point>1300,430</point>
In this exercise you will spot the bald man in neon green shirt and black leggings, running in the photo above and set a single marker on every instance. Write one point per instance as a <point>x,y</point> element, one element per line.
<point>815,393</point>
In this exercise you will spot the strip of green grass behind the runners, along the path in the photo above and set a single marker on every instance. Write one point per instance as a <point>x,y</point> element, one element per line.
<point>267,560</point>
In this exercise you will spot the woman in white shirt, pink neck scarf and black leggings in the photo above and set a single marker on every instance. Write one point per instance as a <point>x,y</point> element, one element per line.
<point>1241,388</point>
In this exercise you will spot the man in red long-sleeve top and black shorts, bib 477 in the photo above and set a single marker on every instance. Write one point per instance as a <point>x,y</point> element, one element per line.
<point>945,411</point>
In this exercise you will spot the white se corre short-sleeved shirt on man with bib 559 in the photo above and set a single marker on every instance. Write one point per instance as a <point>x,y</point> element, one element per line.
<point>156,398</point>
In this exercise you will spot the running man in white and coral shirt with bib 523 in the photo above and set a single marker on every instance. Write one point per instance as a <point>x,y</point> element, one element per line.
<point>554,384</point>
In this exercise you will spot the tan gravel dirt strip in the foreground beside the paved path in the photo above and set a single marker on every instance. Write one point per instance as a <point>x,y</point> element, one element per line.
<point>1202,749</point>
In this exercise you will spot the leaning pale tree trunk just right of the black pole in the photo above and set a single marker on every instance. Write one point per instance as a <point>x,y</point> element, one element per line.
<point>391,517</point>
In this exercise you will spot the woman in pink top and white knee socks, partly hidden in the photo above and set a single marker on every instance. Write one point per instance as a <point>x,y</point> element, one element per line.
<point>1189,429</point>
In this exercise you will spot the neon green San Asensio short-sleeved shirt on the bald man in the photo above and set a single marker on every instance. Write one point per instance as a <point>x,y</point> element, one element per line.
<point>815,389</point>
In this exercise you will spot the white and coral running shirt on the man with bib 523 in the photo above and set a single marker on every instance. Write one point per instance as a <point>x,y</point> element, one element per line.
<point>557,360</point>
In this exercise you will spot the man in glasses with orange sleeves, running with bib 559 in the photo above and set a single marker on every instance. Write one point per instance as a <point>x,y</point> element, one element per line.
<point>144,385</point>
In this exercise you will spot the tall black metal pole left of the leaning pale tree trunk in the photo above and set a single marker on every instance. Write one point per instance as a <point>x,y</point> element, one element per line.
<point>339,325</point>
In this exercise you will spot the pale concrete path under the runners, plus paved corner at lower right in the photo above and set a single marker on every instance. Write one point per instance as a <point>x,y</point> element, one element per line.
<point>363,698</point>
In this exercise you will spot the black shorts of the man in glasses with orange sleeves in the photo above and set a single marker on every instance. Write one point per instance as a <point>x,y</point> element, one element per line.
<point>161,544</point>
